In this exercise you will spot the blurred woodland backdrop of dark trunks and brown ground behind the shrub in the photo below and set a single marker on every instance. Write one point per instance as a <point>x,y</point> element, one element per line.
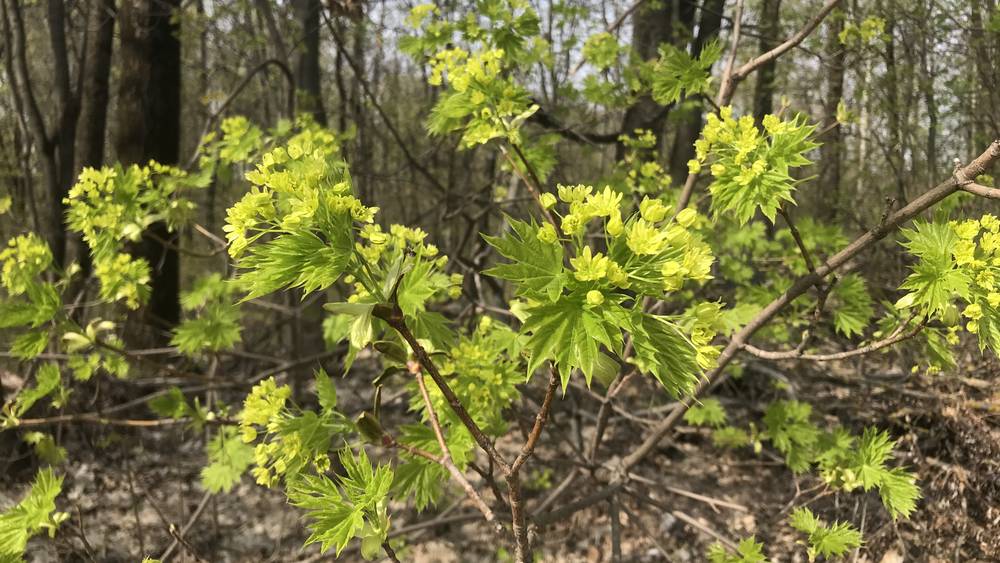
<point>89,82</point>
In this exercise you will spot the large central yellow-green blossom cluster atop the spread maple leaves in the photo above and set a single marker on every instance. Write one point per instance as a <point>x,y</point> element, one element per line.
<point>634,244</point>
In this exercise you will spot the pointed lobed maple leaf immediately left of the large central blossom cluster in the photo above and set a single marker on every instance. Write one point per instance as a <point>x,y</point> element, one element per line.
<point>536,266</point>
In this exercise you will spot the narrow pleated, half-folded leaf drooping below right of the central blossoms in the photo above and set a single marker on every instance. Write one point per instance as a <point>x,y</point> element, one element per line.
<point>663,351</point>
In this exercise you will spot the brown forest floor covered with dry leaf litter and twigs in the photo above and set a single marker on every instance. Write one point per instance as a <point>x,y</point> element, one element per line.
<point>126,491</point>
